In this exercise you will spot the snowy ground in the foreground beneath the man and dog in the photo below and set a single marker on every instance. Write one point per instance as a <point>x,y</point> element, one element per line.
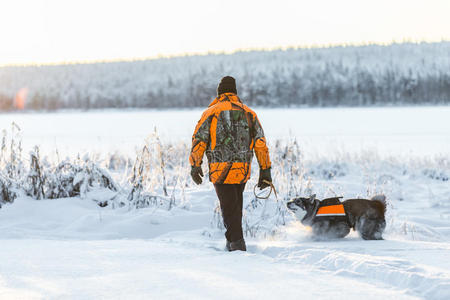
<point>71,248</point>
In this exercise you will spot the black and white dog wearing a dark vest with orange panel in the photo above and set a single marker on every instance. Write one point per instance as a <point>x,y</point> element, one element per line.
<point>331,218</point>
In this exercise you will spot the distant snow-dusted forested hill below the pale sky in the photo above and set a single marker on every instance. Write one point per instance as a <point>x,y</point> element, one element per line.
<point>397,74</point>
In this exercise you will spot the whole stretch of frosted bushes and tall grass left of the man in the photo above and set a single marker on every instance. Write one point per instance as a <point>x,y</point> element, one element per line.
<point>157,178</point>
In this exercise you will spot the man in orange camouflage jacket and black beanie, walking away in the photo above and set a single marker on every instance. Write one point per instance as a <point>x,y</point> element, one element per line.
<point>228,132</point>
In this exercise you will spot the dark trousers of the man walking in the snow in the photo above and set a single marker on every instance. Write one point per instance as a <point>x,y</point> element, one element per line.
<point>231,197</point>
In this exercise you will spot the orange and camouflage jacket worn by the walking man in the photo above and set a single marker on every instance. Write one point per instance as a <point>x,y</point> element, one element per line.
<point>228,132</point>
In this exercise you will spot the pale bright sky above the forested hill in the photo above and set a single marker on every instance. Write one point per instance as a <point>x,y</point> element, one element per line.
<point>53,31</point>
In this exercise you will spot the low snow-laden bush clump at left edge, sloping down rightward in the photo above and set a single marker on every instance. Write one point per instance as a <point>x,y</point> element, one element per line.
<point>43,180</point>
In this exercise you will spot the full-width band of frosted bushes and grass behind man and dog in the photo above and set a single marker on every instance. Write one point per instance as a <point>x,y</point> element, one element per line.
<point>159,175</point>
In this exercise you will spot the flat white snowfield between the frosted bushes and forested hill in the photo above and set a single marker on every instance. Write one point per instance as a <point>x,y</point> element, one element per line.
<point>394,130</point>
